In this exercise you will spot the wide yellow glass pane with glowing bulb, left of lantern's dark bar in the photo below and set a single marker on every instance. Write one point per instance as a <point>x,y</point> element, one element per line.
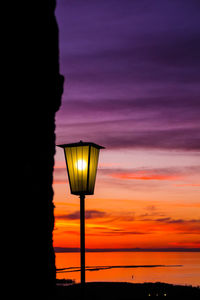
<point>77,165</point>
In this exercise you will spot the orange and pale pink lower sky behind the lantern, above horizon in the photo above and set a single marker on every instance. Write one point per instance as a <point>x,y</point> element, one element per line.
<point>142,199</point>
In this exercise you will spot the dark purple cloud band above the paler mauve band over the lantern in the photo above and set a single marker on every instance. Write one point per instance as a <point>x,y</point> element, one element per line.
<point>145,105</point>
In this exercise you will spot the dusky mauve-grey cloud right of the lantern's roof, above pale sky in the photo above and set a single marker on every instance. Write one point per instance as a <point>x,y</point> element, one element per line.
<point>170,139</point>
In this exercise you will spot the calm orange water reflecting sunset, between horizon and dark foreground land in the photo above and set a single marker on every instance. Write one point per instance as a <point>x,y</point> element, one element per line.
<point>188,273</point>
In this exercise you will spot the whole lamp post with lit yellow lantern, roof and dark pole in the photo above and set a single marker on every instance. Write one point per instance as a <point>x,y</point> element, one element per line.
<point>81,161</point>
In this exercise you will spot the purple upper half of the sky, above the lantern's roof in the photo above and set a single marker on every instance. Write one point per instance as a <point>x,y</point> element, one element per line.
<point>132,73</point>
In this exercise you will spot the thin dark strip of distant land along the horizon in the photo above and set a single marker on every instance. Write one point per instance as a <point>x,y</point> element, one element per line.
<point>75,250</point>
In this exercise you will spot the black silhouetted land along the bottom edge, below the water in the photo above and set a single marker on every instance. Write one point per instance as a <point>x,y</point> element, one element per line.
<point>126,291</point>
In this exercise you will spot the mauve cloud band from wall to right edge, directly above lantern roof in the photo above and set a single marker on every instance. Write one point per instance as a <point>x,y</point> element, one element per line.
<point>123,134</point>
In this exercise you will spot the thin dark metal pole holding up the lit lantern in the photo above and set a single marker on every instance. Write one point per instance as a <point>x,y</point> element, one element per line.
<point>82,225</point>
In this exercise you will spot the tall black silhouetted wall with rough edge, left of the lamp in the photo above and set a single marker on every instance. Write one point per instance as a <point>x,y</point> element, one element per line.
<point>33,95</point>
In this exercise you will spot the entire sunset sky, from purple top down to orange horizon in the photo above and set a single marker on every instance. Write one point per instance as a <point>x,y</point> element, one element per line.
<point>132,72</point>
